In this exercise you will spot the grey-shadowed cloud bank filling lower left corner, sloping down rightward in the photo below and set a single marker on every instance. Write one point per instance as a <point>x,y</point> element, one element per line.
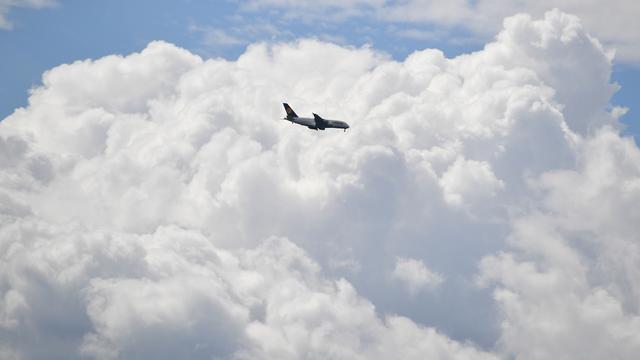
<point>172,293</point>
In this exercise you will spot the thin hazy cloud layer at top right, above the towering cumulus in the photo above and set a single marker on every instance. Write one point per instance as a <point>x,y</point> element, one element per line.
<point>482,17</point>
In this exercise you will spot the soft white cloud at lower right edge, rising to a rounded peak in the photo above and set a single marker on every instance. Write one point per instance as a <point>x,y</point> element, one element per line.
<point>573,269</point>
